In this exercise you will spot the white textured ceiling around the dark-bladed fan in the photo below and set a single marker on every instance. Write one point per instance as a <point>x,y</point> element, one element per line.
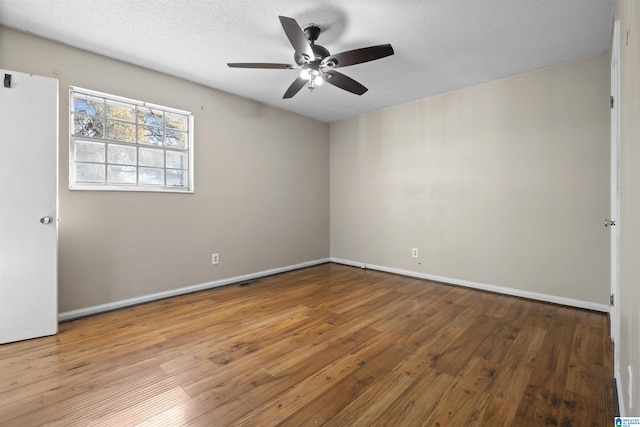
<point>440,45</point>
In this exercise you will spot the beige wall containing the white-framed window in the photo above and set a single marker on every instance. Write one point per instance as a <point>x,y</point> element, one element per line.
<point>261,192</point>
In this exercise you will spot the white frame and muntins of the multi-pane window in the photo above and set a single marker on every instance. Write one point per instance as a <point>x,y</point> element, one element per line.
<point>137,186</point>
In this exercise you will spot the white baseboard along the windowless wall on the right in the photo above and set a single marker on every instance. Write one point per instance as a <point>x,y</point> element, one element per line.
<point>483,286</point>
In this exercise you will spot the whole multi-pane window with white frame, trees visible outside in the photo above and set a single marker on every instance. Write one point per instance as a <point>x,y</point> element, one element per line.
<point>123,144</point>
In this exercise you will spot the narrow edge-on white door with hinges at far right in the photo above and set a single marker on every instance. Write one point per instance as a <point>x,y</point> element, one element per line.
<point>614,314</point>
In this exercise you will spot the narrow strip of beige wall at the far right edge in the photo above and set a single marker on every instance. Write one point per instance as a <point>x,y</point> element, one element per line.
<point>628,349</point>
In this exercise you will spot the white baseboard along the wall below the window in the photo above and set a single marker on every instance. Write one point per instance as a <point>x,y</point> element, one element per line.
<point>96,309</point>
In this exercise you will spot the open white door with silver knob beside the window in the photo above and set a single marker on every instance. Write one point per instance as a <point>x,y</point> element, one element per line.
<point>28,206</point>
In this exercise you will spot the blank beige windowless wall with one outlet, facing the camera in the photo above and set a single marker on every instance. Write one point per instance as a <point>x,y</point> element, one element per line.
<point>503,184</point>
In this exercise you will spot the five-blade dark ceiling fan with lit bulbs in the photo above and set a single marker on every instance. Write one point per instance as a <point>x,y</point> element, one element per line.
<point>315,62</point>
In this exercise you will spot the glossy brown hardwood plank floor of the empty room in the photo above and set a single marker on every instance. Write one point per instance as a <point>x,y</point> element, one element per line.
<point>327,345</point>
